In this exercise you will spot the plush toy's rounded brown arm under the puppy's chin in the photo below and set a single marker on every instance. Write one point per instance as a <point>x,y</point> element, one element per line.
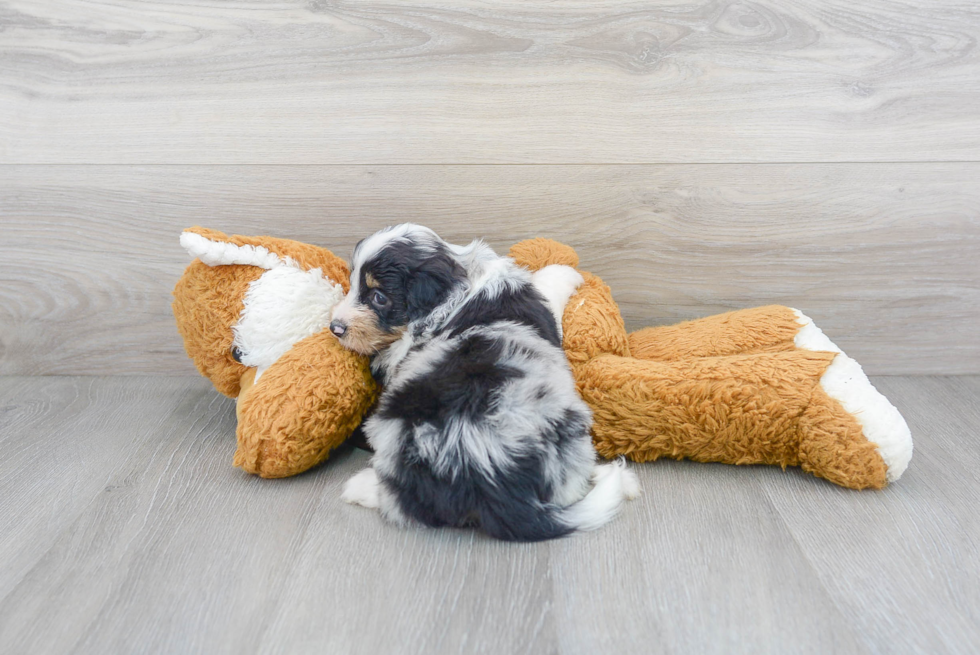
<point>303,406</point>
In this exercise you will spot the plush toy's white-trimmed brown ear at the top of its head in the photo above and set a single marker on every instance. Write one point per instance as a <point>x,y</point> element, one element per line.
<point>216,248</point>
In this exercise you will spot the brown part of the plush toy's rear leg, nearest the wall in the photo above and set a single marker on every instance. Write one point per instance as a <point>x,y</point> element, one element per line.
<point>761,329</point>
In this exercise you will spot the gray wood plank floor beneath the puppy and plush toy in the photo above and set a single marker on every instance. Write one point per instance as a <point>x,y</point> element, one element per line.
<point>124,528</point>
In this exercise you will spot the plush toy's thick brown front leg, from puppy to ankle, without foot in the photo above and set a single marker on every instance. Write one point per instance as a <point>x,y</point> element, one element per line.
<point>709,409</point>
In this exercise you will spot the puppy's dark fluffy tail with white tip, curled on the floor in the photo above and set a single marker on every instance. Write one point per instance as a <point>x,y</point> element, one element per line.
<point>612,484</point>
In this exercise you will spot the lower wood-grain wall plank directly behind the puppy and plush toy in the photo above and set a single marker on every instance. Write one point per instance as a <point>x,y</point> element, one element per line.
<point>883,257</point>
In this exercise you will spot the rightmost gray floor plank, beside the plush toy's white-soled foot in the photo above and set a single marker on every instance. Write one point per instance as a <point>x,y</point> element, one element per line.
<point>880,561</point>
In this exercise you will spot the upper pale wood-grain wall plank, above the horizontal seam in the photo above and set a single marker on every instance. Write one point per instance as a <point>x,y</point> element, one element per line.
<point>440,81</point>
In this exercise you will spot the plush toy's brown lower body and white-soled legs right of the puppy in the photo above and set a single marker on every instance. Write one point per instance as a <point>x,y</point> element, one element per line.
<point>756,386</point>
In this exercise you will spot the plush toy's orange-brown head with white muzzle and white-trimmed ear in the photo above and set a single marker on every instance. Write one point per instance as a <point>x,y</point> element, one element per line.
<point>244,301</point>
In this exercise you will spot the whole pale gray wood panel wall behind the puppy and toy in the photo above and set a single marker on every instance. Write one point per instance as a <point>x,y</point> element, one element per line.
<point>702,156</point>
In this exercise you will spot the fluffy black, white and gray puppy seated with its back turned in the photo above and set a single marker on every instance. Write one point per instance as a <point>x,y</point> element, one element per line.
<point>479,422</point>
